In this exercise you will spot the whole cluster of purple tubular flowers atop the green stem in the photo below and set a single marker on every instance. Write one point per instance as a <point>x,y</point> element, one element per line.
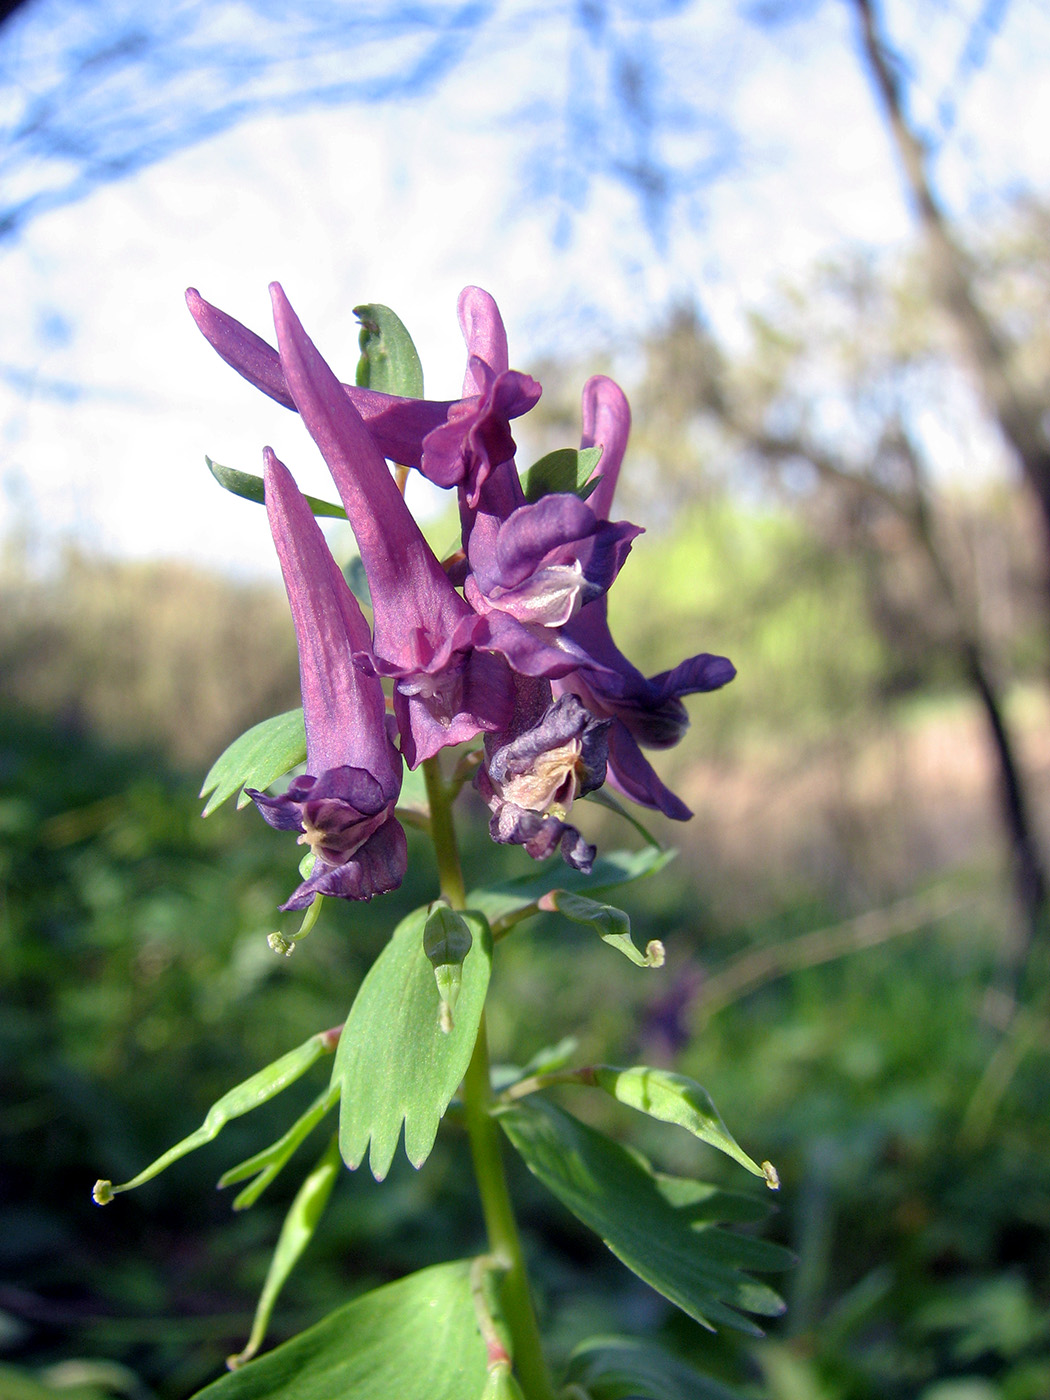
<point>512,640</point>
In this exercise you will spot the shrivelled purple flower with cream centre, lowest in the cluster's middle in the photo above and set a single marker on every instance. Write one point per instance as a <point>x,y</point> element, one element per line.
<point>531,776</point>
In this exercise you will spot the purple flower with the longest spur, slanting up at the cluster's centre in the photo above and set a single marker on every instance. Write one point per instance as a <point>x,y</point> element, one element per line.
<point>425,632</point>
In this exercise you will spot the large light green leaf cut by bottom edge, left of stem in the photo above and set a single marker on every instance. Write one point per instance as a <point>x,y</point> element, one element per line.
<point>416,1340</point>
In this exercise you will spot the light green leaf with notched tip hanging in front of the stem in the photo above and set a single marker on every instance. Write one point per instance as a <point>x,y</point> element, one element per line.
<point>394,1065</point>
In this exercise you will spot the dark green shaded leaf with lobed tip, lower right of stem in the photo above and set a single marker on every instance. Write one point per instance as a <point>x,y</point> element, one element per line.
<point>614,1192</point>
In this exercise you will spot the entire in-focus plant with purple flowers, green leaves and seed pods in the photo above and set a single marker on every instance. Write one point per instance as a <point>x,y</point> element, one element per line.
<point>503,656</point>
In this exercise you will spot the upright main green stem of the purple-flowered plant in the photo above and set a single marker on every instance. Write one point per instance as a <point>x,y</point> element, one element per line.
<point>505,1241</point>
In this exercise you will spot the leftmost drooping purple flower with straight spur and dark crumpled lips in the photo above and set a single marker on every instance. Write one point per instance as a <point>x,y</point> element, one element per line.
<point>344,806</point>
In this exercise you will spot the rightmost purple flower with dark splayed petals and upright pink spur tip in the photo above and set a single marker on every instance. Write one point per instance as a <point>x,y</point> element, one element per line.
<point>645,712</point>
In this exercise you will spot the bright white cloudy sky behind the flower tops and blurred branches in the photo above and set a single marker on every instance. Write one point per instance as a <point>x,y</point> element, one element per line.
<point>110,400</point>
